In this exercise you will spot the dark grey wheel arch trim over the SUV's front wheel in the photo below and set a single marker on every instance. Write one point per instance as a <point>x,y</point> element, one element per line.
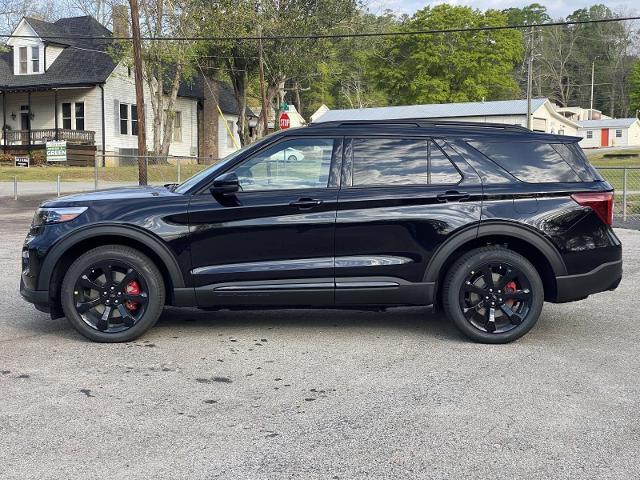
<point>69,248</point>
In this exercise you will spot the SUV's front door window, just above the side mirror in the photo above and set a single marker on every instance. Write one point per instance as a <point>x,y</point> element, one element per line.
<point>292,164</point>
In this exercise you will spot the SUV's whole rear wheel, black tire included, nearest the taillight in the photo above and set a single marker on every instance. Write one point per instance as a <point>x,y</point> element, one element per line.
<point>500,314</point>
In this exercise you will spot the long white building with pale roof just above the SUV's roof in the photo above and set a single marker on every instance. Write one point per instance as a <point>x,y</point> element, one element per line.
<point>545,118</point>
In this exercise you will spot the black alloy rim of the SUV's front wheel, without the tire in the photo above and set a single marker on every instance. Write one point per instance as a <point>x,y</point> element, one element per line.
<point>111,296</point>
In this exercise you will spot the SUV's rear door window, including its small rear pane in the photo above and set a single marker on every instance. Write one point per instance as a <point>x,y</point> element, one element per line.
<point>382,161</point>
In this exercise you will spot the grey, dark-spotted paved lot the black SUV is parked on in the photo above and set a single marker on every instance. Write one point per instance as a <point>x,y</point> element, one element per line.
<point>320,394</point>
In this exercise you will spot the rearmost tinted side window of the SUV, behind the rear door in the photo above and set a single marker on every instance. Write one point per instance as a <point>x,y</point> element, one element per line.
<point>532,162</point>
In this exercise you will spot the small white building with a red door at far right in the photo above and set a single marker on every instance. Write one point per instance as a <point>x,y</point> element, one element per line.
<point>610,132</point>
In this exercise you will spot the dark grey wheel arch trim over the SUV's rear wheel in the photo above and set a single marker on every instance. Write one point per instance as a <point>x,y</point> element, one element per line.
<point>519,238</point>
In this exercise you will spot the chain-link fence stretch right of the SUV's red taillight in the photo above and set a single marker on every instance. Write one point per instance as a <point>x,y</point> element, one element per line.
<point>626,182</point>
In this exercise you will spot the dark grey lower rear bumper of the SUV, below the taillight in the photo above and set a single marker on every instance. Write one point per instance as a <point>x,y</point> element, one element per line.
<point>575,287</point>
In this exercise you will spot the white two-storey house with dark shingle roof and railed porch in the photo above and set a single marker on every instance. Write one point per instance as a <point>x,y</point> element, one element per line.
<point>59,88</point>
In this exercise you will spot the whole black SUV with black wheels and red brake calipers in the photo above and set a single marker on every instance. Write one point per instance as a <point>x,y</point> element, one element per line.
<point>486,221</point>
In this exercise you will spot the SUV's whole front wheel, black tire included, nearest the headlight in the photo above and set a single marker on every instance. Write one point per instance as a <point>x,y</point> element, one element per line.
<point>134,296</point>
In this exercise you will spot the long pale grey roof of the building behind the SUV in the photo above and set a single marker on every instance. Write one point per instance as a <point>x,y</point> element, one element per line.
<point>444,110</point>
